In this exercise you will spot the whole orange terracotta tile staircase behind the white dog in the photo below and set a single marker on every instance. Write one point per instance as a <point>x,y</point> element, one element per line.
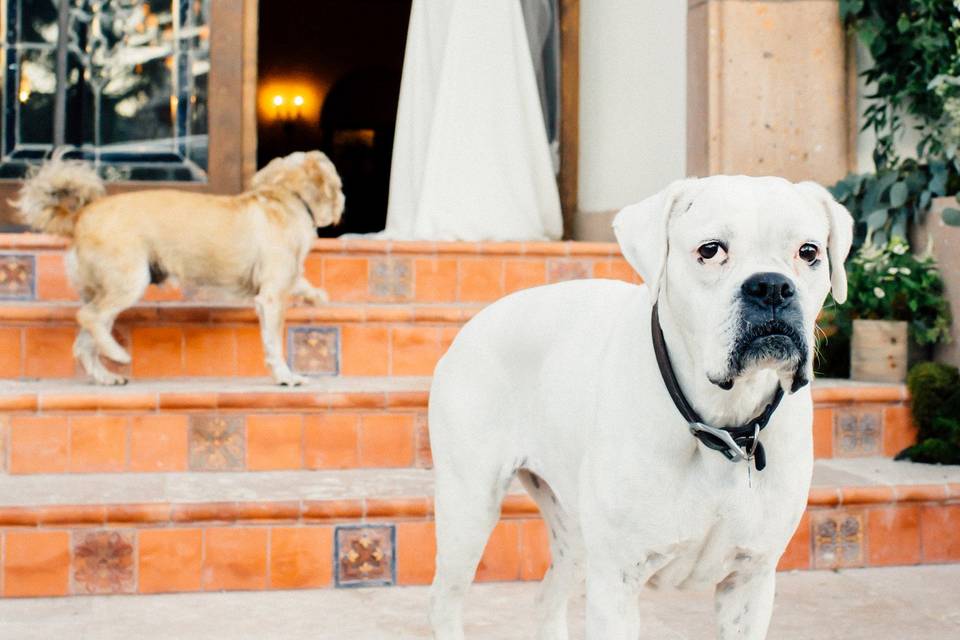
<point>200,475</point>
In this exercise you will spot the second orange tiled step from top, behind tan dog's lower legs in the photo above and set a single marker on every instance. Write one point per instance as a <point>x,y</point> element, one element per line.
<point>188,341</point>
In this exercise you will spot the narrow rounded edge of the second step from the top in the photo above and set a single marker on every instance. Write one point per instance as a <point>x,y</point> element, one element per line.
<point>60,313</point>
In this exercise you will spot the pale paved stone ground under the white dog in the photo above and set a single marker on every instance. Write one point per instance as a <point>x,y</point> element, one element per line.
<point>868,604</point>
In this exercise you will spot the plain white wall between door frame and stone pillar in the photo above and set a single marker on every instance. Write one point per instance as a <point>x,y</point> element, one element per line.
<point>632,100</point>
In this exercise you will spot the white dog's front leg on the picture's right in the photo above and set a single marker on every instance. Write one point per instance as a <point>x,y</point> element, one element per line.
<point>744,604</point>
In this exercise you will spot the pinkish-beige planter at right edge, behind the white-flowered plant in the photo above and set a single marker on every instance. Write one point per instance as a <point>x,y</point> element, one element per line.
<point>945,242</point>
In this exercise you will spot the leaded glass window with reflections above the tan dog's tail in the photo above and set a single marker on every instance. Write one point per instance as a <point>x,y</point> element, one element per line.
<point>120,83</point>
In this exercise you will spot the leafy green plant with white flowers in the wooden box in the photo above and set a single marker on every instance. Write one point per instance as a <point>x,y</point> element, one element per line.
<point>890,283</point>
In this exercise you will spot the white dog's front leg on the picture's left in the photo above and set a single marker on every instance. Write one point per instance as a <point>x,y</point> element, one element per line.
<point>613,607</point>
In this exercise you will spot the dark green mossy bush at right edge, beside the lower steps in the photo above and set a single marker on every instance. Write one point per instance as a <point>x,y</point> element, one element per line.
<point>935,405</point>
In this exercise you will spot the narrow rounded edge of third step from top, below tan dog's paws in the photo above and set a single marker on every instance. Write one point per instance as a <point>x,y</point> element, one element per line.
<point>110,399</point>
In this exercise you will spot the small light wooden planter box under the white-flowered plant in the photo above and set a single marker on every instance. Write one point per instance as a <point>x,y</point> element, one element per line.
<point>879,351</point>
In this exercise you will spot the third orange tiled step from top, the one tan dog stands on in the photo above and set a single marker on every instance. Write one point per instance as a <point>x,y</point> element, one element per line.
<point>56,427</point>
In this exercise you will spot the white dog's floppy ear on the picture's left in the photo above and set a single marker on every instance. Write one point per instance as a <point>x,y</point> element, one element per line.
<point>641,230</point>
